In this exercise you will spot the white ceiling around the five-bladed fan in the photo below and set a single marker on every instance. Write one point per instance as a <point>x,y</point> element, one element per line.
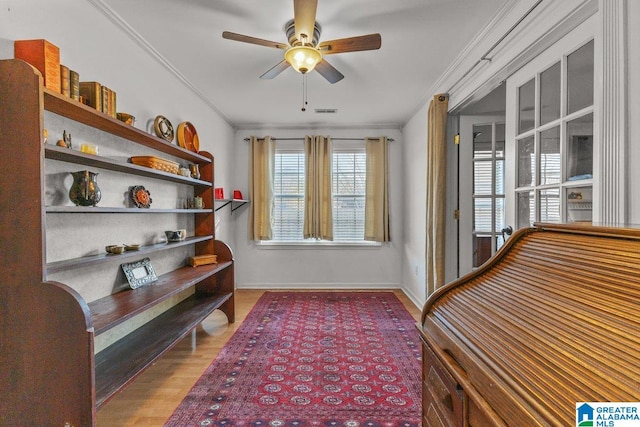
<point>381,88</point>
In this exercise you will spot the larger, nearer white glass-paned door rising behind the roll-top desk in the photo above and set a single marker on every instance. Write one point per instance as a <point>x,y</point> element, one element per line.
<point>550,103</point>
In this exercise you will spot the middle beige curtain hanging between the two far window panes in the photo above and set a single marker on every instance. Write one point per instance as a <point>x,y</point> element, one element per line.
<point>318,214</point>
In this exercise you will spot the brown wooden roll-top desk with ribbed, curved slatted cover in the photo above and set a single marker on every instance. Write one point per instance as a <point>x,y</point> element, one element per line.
<point>551,320</point>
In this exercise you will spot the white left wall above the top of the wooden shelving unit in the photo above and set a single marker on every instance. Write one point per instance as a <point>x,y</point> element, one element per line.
<point>101,51</point>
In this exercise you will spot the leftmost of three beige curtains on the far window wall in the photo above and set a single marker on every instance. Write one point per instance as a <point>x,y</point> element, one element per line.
<point>261,172</point>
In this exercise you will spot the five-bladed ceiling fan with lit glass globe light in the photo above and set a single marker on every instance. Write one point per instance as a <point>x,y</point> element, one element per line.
<point>303,52</point>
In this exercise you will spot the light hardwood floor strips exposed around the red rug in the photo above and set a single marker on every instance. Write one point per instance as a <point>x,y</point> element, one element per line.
<point>151,398</point>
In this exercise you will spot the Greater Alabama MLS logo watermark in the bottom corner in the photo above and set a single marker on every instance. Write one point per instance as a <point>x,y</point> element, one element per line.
<point>608,414</point>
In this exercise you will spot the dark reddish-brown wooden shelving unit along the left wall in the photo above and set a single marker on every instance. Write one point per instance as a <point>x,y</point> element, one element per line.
<point>47,326</point>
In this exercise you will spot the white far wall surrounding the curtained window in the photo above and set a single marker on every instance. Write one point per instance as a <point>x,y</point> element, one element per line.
<point>319,267</point>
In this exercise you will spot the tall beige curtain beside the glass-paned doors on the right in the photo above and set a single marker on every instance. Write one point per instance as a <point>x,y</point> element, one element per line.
<point>436,192</point>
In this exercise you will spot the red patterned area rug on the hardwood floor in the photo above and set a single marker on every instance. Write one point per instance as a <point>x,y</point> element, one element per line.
<point>301,359</point>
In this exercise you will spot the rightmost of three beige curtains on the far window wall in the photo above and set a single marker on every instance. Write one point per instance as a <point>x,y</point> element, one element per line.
<point>376,207</point>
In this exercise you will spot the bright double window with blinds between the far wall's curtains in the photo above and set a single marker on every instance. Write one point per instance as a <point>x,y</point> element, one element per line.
<point>349,174</point>
